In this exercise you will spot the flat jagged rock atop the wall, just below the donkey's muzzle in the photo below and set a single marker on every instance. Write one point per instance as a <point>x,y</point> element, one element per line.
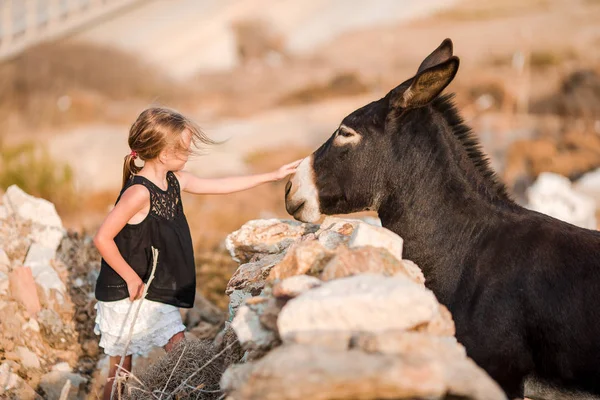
<point>265,237</point>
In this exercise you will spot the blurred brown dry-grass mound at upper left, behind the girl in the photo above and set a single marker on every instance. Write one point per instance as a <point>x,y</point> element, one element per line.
<point>57,83</point>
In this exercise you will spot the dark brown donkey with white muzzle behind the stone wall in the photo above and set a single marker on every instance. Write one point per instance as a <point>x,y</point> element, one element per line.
<point>523,288</point>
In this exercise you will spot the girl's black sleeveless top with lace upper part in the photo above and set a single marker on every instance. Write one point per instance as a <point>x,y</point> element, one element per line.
<point>166,229</point>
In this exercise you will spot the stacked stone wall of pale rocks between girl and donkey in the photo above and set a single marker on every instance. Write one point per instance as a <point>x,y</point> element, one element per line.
<point>333,311</point>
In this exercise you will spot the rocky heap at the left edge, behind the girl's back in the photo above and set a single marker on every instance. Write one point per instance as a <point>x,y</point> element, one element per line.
<point>44,310</point>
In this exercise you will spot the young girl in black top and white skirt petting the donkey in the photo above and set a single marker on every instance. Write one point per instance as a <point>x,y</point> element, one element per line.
<point>148,213</point>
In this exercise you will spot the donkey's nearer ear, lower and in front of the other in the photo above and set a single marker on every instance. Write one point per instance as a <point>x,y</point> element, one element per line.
<point>426,85</point>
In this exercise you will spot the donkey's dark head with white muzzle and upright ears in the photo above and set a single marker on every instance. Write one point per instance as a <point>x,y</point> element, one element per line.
<point>346,174</point>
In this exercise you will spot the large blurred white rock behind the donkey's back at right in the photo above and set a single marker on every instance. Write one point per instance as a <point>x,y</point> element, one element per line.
<point>552,194</point>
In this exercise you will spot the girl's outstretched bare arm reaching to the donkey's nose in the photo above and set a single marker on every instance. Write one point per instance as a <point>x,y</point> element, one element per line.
<point>192,184</point>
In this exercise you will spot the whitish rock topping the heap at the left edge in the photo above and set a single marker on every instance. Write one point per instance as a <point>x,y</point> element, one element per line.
<point>47,228</point>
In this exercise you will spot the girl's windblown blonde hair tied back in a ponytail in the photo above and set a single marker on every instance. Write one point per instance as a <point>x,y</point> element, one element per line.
<point>154,130</point>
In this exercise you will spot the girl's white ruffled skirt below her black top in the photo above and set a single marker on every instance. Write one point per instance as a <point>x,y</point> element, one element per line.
<point>156,323</point>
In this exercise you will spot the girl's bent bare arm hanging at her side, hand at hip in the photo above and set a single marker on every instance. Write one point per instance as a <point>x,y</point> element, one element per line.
<point>135,200</point>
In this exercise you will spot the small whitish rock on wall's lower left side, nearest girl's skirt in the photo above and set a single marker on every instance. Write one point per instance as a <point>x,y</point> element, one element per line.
<point>250,332</point>
